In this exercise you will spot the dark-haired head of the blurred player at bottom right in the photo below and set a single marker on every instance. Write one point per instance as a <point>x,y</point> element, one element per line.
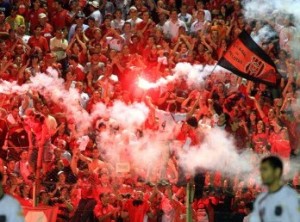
<point>271,169</point>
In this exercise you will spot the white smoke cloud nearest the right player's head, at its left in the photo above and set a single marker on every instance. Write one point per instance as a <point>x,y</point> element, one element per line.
<point>217,152</point>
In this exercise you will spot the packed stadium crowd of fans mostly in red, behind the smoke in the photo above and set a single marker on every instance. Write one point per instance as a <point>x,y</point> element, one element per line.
<point>99,49</point>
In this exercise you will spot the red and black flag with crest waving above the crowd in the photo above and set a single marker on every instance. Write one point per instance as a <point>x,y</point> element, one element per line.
<point>246,59</point>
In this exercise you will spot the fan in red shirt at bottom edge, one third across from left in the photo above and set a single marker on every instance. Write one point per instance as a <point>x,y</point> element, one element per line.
<point>103,211</point>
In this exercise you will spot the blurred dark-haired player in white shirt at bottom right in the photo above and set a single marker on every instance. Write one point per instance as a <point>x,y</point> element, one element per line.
<point>280,202</point>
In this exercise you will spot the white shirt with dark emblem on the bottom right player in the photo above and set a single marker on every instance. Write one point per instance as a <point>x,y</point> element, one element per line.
<point>280,206</point>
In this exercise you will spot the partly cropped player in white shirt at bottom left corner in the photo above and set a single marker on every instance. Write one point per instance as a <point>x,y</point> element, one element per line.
<point>10,208</point>
